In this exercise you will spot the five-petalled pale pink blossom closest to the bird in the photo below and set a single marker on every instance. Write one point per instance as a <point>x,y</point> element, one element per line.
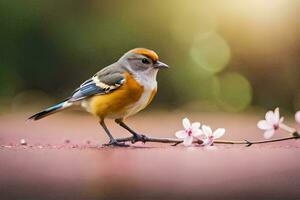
<point>190,131</point>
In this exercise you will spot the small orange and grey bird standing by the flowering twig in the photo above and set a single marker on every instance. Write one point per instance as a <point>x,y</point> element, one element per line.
<point>118,91</point>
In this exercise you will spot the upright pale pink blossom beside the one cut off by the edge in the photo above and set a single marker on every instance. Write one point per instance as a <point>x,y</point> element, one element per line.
<point>272,122</point>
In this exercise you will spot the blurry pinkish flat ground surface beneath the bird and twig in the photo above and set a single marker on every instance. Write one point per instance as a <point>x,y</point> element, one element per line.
<point>151,171</point>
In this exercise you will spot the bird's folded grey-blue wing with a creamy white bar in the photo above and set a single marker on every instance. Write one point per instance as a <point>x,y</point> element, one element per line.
<point>105,81</point>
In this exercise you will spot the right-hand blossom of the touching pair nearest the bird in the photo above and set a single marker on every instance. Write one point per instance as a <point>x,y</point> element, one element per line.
<point>210,136</point>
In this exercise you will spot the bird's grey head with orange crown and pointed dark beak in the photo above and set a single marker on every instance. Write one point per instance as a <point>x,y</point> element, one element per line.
<point>142,59</point>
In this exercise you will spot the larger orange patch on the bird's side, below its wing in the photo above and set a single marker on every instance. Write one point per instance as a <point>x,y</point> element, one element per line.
<point>114,104</point>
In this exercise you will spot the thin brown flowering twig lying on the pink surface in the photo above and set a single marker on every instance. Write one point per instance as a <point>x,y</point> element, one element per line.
<point>175,142</point>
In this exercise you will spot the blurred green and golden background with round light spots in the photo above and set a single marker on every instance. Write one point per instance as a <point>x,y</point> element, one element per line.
<point>225,55</point>
